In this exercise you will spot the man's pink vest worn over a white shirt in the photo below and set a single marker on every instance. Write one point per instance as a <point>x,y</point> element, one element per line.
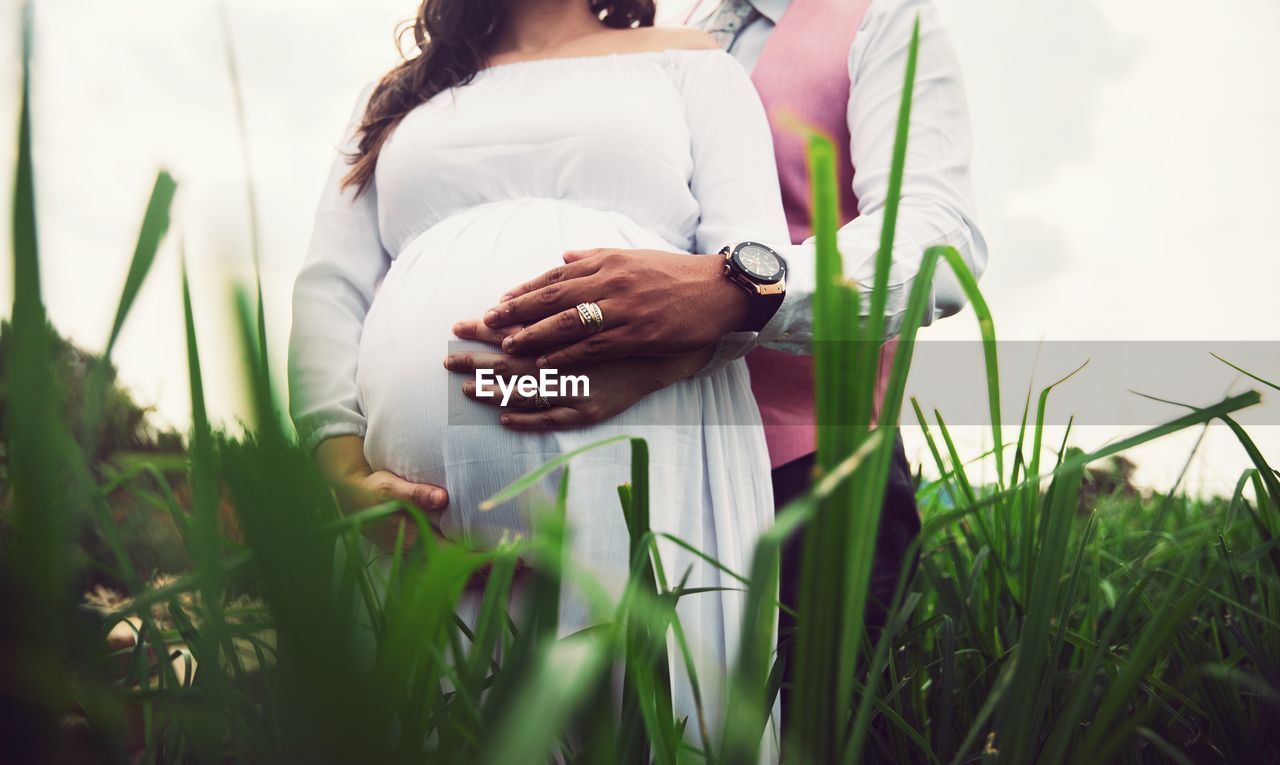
<point>804,71</point>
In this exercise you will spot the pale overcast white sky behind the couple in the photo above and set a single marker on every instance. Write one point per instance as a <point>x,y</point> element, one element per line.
<point>1124,166</point>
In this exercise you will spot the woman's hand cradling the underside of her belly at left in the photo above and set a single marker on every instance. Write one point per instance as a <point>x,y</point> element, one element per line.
<point>359,487</point>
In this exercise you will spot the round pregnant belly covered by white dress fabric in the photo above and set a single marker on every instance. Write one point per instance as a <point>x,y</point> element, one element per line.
<point>420,425</point>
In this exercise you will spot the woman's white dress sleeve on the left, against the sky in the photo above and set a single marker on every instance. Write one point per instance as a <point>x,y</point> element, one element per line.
<point>344,265</point>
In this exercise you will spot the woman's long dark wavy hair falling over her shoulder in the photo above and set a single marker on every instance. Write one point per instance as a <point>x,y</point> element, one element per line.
<point>454,40</point>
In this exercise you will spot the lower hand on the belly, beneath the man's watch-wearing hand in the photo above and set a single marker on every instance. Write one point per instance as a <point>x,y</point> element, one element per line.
<point>616,386</point>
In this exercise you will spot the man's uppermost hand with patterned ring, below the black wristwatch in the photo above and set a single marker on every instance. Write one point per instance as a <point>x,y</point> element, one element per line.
<point>655,304</point>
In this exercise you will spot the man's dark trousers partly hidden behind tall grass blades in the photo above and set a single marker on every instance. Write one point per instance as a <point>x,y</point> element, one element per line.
<point>900,524</point>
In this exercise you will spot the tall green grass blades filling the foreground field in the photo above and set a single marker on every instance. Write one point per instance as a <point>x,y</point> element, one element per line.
<point>1044,625</point>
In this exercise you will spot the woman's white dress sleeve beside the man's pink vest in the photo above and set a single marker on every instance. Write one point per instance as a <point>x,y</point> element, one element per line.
<point>735,177</point>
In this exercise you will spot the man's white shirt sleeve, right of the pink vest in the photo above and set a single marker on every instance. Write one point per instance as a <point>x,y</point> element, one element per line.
<point>936,207</point>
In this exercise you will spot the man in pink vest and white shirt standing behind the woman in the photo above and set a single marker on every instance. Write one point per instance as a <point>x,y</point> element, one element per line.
<point>839,66</point>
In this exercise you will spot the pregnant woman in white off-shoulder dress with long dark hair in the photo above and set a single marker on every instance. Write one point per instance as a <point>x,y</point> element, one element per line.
<point>525,130</point>
